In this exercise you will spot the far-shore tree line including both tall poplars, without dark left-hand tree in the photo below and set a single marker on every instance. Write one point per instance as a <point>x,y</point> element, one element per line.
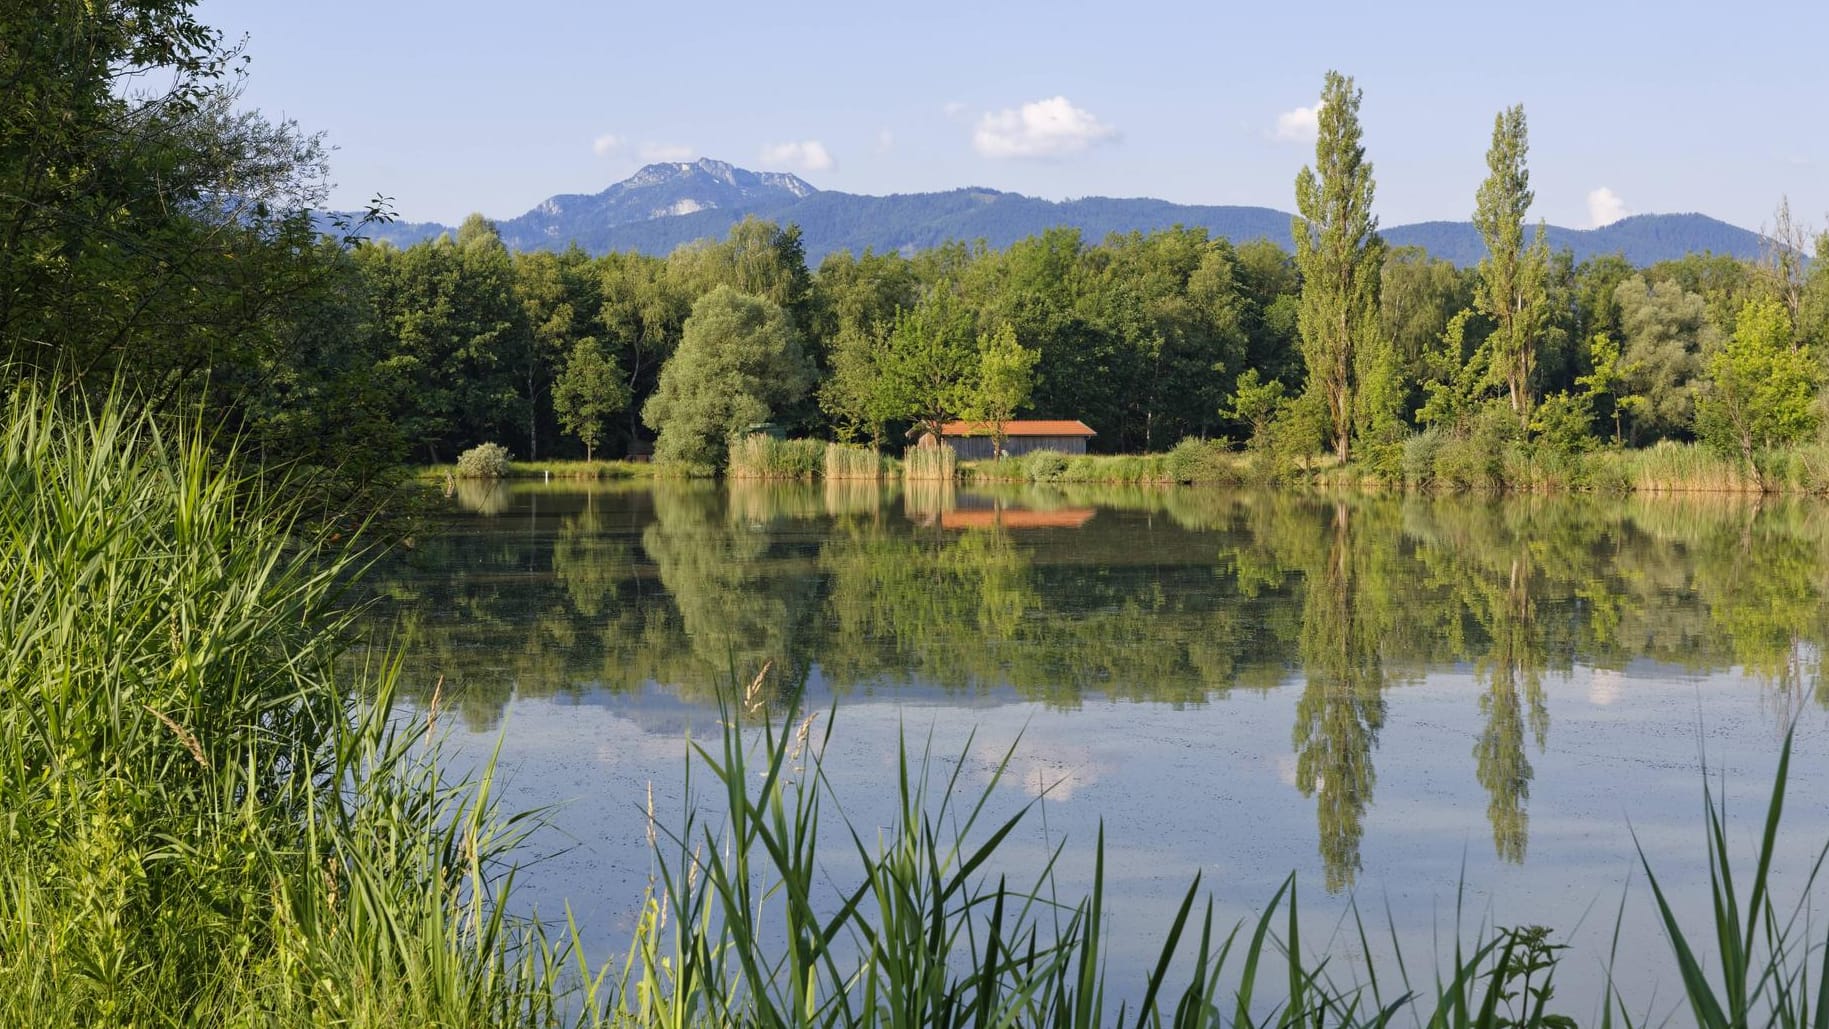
<point>1345,346</point>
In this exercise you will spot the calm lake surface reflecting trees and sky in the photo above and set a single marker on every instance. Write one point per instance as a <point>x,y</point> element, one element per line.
<point>1420,706</point>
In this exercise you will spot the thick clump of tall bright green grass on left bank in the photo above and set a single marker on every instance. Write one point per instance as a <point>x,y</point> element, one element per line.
<point>198,822</point>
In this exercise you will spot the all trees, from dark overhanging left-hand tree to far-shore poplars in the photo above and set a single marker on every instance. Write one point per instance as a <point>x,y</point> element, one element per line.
<point>162,244</point>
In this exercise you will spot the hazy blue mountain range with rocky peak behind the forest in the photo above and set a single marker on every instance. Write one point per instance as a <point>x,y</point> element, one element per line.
<point>667,206</point>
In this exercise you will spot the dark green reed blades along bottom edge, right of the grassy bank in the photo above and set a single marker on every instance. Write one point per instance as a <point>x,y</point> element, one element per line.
<point>747,924</point>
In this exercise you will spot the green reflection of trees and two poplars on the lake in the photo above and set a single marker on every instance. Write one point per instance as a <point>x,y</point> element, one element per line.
<point>1170,597</point>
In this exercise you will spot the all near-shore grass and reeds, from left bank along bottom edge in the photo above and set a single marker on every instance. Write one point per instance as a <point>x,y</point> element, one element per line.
<point>204,825</point>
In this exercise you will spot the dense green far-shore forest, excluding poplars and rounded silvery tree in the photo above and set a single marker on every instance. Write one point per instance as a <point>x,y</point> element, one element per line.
<point>1148,339</point>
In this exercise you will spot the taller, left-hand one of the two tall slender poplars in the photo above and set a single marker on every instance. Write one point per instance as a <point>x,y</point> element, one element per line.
<point>1340,255</point>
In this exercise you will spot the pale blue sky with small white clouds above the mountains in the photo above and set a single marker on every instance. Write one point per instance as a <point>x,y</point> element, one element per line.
<point>460,105</point>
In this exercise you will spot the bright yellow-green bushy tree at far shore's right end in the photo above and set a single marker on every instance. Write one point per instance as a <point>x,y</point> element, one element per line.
<point>1762,388</point>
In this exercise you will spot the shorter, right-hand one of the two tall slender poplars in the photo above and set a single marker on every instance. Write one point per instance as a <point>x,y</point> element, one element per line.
<point>1512,277</point>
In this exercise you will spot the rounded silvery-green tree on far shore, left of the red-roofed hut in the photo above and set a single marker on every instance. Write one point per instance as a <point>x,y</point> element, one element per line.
<point>740,363</point>
